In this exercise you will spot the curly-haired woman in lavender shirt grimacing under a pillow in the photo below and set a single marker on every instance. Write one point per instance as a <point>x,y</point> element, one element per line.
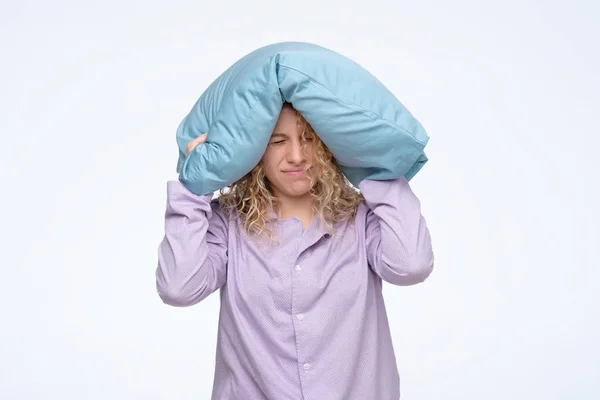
<point>300,257</point>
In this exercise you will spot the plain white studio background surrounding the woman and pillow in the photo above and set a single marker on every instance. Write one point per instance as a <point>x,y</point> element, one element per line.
<point>91,94</point>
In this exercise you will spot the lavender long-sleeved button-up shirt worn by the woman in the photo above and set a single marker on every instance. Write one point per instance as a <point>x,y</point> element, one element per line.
<point>303,319</point>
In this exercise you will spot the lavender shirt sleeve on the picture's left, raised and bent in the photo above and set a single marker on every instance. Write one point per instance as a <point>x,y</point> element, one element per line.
<point>192,256</point>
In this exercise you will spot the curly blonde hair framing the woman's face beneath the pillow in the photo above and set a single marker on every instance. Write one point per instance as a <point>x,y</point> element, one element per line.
<point>335,199</point>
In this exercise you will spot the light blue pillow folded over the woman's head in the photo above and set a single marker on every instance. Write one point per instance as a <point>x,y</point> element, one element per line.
<point>370,133</point>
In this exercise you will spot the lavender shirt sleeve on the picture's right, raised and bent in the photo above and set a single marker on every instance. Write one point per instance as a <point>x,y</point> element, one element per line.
<point>398,243</point>
